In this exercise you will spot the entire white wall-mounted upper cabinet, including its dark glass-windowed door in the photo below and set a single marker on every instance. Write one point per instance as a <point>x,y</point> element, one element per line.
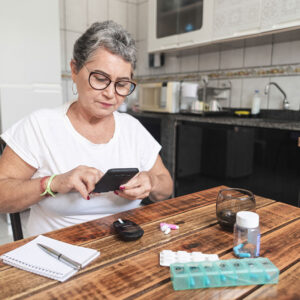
<point>177,24</point>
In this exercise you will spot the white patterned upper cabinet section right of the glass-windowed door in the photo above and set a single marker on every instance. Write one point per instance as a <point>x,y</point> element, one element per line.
<point>238,18</point>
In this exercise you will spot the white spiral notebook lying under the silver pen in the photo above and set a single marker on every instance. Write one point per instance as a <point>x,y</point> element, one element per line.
<point>32,258</point>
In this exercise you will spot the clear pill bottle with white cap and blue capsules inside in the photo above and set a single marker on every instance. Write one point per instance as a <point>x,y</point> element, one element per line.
<point>246,233</point>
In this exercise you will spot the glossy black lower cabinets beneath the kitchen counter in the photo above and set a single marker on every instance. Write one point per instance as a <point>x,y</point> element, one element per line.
<point>265,161</point>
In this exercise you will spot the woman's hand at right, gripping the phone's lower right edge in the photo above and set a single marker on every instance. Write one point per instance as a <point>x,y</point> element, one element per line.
<point>139,187</point>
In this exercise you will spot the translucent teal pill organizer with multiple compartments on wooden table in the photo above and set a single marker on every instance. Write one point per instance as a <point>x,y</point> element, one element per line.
<point>222,273</point>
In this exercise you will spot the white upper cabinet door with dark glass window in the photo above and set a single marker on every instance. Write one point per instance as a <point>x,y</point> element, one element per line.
<point>179,23</point>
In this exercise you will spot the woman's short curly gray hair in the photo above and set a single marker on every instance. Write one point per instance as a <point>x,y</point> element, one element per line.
<point>108,35</point>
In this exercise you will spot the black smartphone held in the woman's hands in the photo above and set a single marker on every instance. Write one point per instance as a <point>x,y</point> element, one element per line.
<point>113,178</point>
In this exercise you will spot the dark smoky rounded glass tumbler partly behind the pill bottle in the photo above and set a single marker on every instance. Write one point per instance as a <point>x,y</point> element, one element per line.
<point>229,202</point>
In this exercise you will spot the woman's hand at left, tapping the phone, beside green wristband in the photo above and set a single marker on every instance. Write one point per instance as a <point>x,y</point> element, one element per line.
<point>81,179</point>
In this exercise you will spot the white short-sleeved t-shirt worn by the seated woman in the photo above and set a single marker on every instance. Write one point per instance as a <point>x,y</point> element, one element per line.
<point>47,141</point>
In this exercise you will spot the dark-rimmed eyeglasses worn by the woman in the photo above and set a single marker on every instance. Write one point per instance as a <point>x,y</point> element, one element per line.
<point>99,81</point>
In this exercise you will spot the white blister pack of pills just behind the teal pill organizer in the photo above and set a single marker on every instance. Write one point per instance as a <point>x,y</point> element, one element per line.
<point>168,257</point>
